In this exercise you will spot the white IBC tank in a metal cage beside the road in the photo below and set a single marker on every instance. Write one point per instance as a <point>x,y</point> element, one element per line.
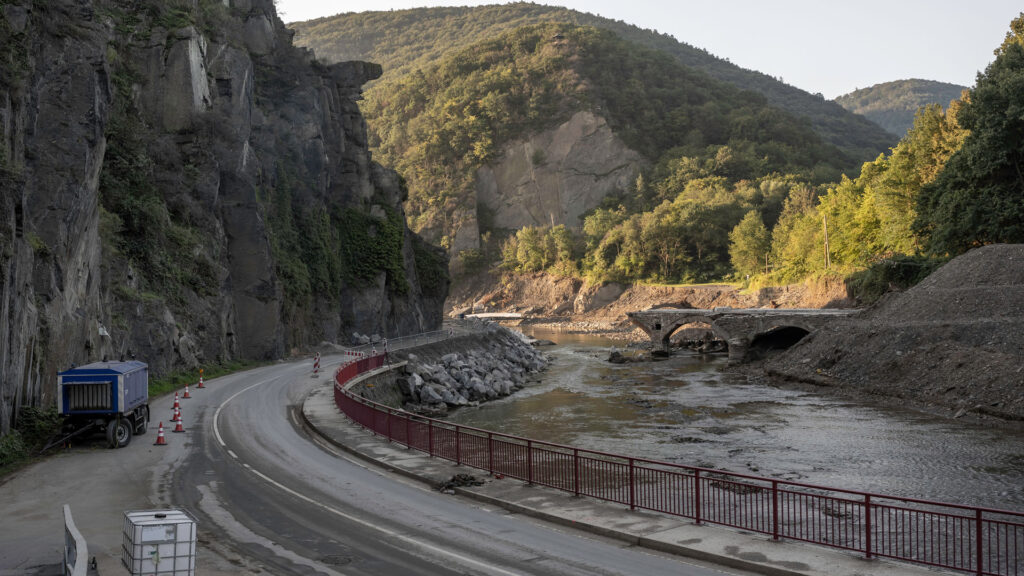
<point>159,543</point>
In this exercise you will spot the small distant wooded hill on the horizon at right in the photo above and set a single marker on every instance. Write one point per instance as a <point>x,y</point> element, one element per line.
<point>893,105</point>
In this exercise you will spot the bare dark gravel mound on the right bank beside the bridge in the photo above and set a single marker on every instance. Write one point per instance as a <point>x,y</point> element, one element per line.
<point>955,342</point>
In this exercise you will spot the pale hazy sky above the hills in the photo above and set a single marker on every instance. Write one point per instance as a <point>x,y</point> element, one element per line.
<point>823,47</point>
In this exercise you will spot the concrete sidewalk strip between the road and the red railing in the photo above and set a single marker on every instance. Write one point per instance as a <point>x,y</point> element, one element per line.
<point>744,551</point>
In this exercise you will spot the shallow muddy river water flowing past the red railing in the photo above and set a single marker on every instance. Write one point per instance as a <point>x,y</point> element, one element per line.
<point>690,412</point>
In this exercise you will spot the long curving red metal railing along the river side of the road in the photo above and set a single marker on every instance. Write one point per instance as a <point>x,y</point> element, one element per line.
<point>984,542</point>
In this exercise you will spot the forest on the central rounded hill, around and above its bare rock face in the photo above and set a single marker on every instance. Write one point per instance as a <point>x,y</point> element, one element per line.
<point>439,126</point>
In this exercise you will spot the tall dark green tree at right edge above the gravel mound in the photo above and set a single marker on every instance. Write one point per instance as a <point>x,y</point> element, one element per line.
<point>979,197</point>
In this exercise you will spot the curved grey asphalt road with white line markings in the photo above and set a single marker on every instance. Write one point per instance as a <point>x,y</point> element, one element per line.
<point>286,504</point>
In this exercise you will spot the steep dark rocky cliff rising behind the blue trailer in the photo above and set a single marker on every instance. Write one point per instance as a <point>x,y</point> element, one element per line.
<point>182,185</point>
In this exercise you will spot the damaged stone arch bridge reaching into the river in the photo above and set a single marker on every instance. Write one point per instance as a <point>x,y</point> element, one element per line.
<point>739,327</point>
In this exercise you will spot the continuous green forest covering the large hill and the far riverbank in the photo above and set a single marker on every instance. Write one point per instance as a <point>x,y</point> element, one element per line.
<point>733,187</point>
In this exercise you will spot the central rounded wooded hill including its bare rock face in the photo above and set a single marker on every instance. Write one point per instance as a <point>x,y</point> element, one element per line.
<point>454,127</point>
